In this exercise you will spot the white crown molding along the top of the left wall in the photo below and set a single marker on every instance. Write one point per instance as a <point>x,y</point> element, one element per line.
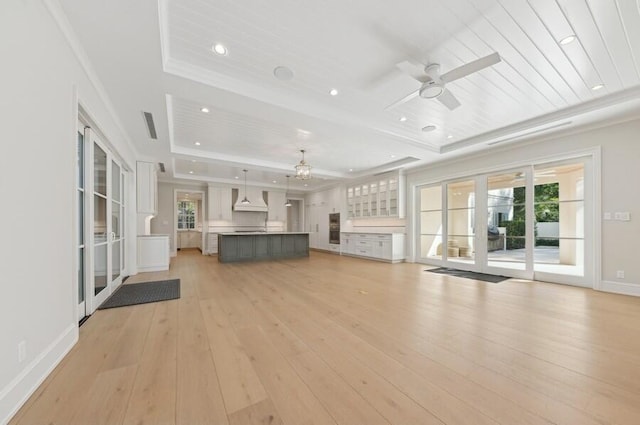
<point>60,18</point>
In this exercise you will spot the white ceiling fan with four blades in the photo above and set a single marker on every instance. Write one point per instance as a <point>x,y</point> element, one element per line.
<point>434,85</point>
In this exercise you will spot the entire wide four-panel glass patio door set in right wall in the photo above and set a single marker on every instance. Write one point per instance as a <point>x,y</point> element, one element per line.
<point>529,222</point>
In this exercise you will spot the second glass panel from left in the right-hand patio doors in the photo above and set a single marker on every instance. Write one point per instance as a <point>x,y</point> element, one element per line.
<point>461,222</point>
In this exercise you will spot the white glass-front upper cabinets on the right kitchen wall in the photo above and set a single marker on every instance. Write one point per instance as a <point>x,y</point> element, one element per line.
<point>380,197</point>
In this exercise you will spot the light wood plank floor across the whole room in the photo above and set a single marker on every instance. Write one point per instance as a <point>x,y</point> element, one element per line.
<point>336,340</point>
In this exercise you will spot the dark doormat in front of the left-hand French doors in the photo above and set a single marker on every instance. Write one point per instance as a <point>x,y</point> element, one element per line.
<point>142,293</point>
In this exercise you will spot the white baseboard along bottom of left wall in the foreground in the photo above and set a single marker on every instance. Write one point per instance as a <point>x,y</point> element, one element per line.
<point>18,391</point>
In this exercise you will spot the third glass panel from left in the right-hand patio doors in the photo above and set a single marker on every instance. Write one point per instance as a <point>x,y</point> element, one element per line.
<point>506,220</point>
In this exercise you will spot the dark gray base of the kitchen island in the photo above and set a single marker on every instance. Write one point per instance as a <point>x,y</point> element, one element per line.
<point>233,247</point>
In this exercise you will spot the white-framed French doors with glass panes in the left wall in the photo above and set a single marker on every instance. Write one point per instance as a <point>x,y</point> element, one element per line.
<point>101,204</point>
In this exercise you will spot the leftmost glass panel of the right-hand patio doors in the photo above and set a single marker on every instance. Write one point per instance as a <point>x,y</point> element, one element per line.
<point>431,222</point>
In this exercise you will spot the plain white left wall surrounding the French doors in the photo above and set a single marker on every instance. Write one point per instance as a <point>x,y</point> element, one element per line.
<point>38,112</point>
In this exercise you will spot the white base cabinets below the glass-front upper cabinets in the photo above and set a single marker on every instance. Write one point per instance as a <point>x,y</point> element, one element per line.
<point>378,246</point>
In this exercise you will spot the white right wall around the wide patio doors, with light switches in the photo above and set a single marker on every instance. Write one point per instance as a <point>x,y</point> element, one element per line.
<point>620,156</point>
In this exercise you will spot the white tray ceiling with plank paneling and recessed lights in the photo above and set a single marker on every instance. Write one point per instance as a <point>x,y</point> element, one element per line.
<point>156,57</point>
